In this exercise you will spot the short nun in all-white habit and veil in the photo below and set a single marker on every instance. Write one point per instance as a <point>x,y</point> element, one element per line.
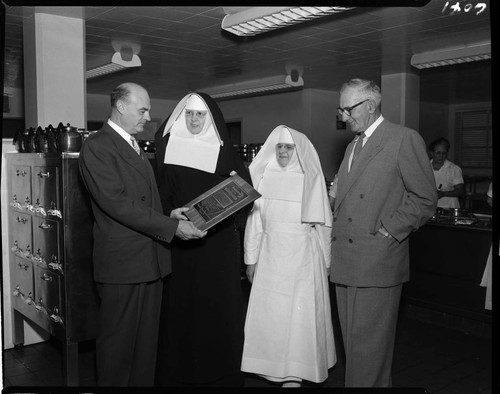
<point>288,328</point>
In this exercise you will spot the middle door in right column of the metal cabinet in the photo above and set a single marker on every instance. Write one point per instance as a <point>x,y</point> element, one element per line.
<point>46,240</point>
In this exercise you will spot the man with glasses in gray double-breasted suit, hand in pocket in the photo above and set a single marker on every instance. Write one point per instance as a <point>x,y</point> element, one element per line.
<point>384,193</point>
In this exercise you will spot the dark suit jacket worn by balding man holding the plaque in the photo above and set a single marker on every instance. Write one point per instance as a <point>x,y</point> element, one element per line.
<point>130,231</point>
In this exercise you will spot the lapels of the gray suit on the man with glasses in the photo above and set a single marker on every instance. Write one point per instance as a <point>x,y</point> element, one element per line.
<point>371,148</point>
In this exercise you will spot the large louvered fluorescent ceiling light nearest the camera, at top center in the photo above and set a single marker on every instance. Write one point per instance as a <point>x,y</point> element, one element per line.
<point>258,20</point>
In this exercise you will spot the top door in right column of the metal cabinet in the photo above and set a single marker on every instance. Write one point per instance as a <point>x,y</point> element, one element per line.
<point>46,187</point>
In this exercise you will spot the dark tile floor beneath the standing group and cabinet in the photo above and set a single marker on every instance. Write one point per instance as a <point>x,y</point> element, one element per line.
<point>437,358</point>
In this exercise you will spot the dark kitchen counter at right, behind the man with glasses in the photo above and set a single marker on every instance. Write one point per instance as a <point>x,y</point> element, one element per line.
<point>447,261</point>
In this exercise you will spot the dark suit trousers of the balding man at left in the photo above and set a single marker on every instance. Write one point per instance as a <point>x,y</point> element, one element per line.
<point>127,336</point>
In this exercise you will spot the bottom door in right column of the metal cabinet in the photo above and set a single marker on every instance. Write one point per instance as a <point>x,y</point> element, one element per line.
<point>47,290</point>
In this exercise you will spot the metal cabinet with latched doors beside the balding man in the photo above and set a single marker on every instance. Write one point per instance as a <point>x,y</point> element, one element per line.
<point>50,240</point>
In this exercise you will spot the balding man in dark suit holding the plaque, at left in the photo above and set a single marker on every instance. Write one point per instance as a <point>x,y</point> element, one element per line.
<point>130,253</point>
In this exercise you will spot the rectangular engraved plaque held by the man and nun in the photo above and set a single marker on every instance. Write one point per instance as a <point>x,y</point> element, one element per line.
<point>221,201</point>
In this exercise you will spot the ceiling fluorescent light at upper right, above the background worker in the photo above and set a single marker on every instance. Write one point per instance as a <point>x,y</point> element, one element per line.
<point>448,57</point>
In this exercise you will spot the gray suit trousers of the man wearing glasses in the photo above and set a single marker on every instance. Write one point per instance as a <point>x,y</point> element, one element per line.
<point>368,318</point>
